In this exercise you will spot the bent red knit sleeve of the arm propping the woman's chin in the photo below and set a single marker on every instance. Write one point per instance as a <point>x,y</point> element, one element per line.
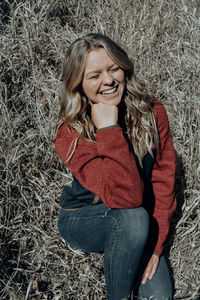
<point>107,168</point>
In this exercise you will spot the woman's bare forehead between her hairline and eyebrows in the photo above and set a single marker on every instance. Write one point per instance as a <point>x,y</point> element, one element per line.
<point>97,59</point>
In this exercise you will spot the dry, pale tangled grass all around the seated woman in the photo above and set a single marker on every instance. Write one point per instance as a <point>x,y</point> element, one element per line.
<point>162,37</point>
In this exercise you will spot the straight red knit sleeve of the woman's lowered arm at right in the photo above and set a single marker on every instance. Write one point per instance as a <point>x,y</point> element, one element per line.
<point>163,176</point>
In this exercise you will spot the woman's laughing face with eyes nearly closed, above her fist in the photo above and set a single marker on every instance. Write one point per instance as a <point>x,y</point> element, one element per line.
<point>103,81</point>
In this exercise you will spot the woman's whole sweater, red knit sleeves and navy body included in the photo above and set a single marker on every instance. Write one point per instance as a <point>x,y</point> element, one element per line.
<point>108,171</point>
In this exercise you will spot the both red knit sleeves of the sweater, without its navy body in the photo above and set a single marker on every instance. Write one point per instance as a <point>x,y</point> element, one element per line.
<point>108,169</point>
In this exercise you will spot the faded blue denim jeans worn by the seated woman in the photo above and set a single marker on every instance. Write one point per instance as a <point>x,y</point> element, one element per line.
<point>120,234</point>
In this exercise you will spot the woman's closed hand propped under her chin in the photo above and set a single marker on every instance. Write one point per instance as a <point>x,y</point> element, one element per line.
<point>104,114</point>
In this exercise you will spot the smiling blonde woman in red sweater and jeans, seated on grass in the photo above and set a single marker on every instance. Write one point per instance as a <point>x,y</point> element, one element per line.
<point>116,141</point>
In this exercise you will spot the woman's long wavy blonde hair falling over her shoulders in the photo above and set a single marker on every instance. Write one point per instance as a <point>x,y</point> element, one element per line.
<point>139,126</point>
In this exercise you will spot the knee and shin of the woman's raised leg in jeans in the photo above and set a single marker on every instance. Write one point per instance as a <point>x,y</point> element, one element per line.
<point>123,250</point>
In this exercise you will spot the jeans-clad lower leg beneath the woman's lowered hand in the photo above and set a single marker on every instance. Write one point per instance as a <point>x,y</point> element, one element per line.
<point>160,287</point>
